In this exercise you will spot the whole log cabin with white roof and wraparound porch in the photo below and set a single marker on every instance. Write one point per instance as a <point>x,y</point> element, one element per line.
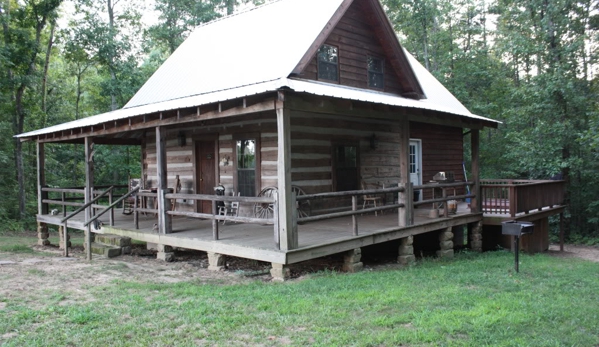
<point>325,135</point>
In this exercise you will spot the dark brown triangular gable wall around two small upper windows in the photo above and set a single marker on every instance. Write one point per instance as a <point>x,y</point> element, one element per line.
<point>356,39</point>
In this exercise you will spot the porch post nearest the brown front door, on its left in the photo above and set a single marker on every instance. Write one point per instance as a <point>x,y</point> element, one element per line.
<point>164,219</point>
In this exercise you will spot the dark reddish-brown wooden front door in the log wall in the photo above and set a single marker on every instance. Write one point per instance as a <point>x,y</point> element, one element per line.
<point>205,172</point>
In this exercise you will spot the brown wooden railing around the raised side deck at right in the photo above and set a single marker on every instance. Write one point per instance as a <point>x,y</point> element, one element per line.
<point>520,196</point>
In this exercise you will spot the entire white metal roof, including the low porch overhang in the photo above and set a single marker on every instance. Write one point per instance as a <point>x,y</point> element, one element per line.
<point>251,53</point>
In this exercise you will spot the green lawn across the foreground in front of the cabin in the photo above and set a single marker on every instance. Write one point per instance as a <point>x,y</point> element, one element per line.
<point>473,300</point>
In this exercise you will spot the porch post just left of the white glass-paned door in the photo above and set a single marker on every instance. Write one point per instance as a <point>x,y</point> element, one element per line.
<point>405,213</point>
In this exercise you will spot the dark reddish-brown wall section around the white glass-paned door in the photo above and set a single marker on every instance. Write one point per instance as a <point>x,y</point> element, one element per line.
<point>442,150</point>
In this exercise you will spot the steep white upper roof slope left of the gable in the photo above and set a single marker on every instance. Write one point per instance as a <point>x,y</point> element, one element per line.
<point>259,45</point>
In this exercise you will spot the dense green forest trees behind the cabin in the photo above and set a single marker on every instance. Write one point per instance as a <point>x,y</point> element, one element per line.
<point>531,64</point>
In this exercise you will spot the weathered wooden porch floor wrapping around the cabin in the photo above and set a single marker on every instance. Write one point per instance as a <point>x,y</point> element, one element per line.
<point>251,241</point>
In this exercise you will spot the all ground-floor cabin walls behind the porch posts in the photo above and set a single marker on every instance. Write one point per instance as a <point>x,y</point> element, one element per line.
<point>313,139</point>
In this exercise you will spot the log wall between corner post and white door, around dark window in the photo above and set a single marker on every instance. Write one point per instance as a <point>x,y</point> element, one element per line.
<point>313,137</point>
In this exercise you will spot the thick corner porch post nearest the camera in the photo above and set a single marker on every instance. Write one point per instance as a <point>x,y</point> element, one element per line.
<point>287,229</point>
